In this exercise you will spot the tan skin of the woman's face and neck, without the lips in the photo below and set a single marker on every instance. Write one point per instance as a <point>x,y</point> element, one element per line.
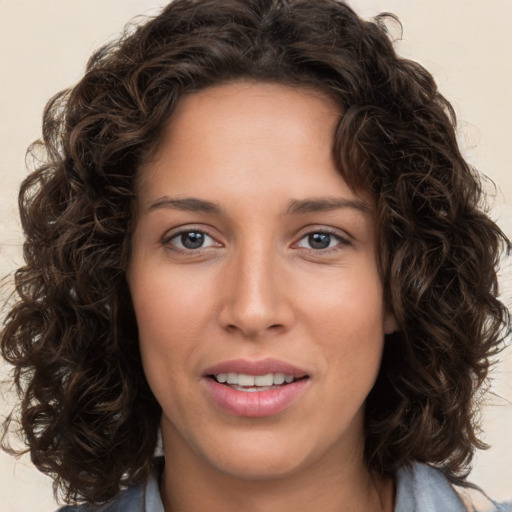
<point>256,288</point>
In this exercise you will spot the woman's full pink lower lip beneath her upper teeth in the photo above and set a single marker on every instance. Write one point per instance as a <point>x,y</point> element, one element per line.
<point>254,404</point>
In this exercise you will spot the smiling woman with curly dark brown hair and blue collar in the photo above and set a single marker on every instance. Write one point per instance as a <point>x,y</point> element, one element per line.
<point>255,235</point>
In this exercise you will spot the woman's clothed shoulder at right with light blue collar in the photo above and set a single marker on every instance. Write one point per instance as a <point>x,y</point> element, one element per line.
<point>422,488</point>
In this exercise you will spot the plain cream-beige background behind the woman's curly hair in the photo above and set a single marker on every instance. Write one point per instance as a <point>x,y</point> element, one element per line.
<point>467,44</point>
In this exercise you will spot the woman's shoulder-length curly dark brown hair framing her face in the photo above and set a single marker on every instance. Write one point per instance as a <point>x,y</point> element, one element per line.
<point>87,414</point>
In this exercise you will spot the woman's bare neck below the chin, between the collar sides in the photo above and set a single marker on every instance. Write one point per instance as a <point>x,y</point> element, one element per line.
<point>196,487</point>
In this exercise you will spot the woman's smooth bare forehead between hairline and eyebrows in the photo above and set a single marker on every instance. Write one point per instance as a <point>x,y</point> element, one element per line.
<point>248,137</point>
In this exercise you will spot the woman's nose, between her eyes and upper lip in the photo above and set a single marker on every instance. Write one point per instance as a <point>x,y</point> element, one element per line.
<point>256,301</point>
